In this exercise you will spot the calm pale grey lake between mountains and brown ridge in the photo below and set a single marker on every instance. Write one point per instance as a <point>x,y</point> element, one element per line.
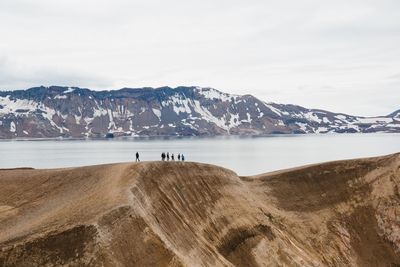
<point>245,155</point>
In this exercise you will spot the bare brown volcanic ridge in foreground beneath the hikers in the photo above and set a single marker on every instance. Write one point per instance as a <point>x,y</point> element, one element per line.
<point>341,213</point>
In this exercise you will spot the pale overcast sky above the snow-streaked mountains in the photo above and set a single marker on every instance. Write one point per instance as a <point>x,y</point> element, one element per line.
<point>339,55</point>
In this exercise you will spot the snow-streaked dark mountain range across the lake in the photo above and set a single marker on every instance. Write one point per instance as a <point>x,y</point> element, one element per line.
<point>75,112</point>
